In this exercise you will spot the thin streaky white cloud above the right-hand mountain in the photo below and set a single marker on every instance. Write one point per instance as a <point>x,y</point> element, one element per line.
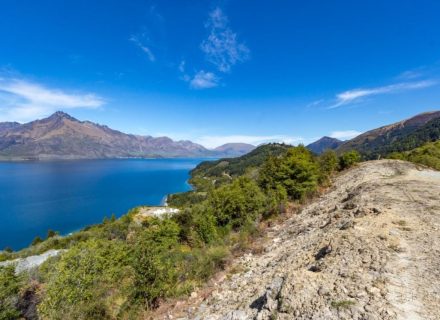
<point>355,95</point>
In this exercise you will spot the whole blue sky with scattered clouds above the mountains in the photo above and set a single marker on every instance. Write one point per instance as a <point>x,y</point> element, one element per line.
<point>221,71</point>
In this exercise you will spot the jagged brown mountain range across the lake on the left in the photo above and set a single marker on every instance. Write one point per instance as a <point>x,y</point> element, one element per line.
<point>61,136</point>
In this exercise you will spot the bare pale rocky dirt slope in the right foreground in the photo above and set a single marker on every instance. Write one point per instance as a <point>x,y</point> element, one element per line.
<point>367,249</point>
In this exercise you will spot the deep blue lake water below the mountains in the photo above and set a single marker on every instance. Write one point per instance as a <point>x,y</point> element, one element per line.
<point>68,195</point>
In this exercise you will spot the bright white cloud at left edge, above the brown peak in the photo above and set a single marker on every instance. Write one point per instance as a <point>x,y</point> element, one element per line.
<point>21,100</point>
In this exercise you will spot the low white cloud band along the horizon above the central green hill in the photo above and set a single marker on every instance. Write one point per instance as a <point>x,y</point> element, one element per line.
<point>215,141</point>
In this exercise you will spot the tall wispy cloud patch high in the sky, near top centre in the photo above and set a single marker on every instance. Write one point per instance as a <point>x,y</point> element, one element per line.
<point>222,47</point>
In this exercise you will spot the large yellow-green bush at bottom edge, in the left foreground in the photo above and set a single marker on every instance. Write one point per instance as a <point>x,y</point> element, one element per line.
<point>88,282</point>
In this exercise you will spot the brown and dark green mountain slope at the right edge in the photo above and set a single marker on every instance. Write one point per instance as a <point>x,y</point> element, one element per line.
<point>400,136</point>
